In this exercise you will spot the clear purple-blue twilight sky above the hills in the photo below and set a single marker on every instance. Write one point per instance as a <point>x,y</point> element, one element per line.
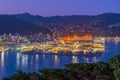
<point>59,7</point>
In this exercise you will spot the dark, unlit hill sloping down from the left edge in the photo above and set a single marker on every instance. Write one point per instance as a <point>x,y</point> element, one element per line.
<point>9,24</point>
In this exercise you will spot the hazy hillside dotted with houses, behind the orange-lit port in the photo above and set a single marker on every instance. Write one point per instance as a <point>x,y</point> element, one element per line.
<point>107,24</point>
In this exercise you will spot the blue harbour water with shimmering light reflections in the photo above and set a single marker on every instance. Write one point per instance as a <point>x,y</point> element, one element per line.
<point>12,61</point>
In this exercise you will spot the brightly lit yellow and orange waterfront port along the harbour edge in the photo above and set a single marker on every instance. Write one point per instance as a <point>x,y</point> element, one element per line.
<point>68,46</point>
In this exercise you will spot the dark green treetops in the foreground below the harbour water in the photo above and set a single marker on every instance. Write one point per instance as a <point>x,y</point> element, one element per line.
<point>77,71</point>
